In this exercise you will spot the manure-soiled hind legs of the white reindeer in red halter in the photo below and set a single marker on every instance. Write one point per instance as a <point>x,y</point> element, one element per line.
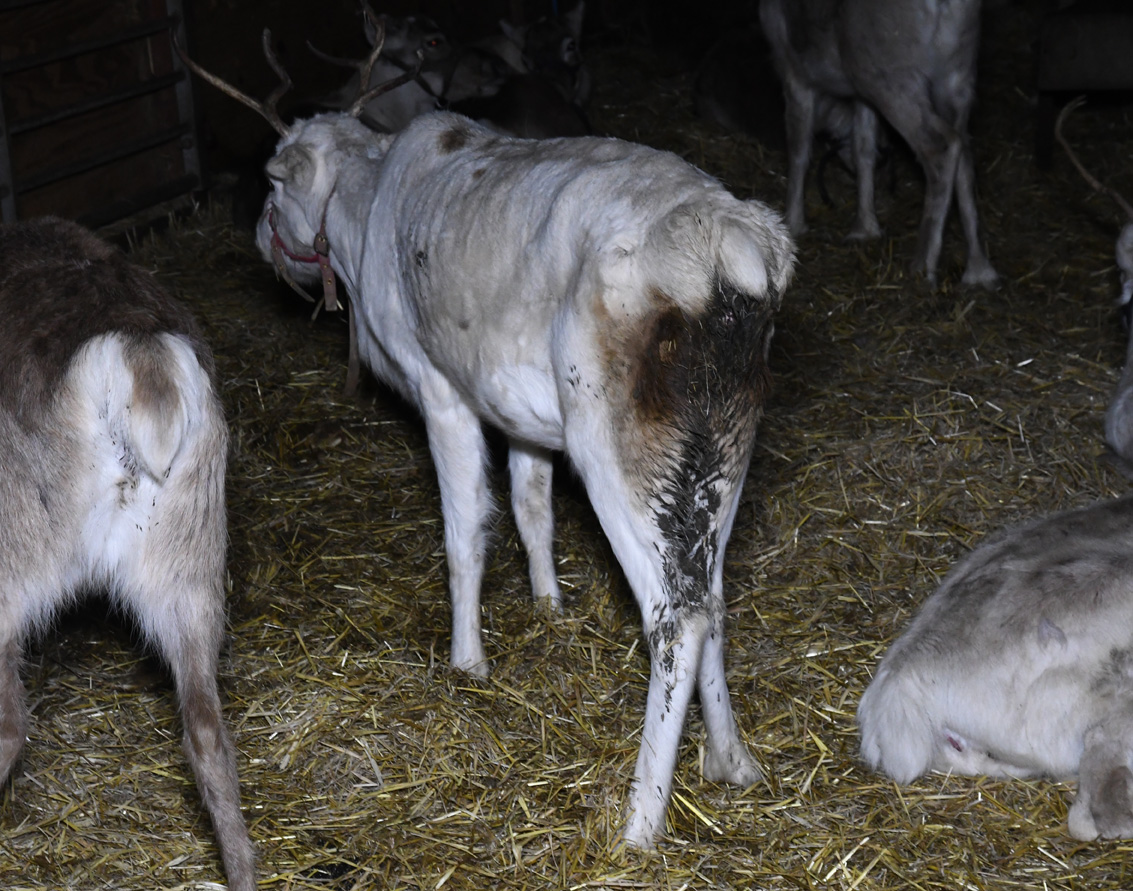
<point>660,417</point>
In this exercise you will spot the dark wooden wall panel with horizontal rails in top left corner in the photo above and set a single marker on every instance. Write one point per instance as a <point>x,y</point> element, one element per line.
<point>96,114</point>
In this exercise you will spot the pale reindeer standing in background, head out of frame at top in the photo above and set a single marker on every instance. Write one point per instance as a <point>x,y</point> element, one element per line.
<point>913,62</point>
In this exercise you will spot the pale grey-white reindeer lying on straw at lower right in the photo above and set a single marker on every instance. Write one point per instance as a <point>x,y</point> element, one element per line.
<point>1021,665</point>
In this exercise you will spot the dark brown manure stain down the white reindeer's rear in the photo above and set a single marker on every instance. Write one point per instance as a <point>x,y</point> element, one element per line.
<point>694,389</point>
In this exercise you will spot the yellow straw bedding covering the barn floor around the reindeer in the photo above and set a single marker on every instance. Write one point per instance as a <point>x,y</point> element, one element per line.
<point>907,423</point>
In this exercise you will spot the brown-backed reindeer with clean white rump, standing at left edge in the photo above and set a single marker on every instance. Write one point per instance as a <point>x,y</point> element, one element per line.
<point>113,479</point>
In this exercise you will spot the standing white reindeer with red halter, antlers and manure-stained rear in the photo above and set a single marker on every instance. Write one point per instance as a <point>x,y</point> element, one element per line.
<point>585,295</point>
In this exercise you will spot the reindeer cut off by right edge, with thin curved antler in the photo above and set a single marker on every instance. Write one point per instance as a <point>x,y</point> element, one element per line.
<point>1120,412</point>
